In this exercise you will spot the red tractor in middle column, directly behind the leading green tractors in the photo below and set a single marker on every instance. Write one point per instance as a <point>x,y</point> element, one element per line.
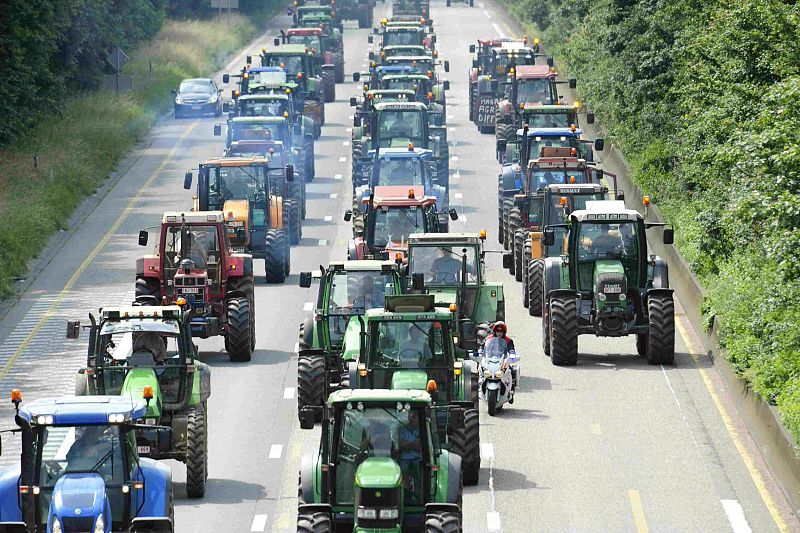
<point>389,217</point>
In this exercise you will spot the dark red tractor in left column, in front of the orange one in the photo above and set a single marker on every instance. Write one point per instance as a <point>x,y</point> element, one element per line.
<point>194,262</point>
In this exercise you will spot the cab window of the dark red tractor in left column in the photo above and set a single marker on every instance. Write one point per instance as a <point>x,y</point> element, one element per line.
<point>195,242</point>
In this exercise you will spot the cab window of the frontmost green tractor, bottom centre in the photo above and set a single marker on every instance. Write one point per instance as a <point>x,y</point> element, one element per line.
<point>395,431</point>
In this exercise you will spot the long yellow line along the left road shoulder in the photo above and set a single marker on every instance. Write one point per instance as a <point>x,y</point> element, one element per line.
<point>90,258</point>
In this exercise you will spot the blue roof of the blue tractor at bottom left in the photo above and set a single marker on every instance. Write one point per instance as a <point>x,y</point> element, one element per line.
<point>82,410</point>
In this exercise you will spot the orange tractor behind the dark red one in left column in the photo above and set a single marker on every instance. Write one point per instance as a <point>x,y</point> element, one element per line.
<point>256,196</point>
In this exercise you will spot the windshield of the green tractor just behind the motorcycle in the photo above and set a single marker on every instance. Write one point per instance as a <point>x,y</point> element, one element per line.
<point>443,265</point>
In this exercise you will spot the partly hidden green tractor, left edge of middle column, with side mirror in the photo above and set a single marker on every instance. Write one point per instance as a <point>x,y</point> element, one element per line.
<point>346,289</point>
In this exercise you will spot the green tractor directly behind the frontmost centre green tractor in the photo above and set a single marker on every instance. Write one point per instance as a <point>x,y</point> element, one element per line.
<point>409,344</point>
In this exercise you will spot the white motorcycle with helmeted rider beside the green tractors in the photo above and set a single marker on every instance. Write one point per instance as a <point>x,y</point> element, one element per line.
<point>498,367</point>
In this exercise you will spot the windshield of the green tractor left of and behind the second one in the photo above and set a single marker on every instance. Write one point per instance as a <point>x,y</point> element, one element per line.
<point>352,293</point>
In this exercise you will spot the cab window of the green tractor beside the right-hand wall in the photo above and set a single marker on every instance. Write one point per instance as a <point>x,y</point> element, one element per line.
<point>602,241</point>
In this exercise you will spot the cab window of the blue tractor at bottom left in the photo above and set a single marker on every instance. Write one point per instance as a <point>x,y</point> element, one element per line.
<point>74,452</point>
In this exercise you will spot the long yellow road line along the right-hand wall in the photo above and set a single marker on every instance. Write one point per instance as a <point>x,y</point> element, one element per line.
<point>744,453</point>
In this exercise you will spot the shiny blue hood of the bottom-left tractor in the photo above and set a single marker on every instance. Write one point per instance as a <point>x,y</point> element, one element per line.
<point>79,499</point>
